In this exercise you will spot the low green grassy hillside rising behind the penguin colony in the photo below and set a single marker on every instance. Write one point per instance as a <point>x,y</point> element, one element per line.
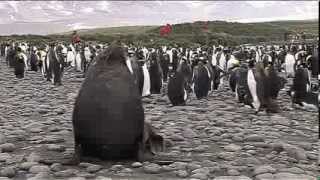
<point>222,32</point>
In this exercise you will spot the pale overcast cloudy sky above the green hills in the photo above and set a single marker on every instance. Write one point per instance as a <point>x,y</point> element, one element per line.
<point>42,17</point>
